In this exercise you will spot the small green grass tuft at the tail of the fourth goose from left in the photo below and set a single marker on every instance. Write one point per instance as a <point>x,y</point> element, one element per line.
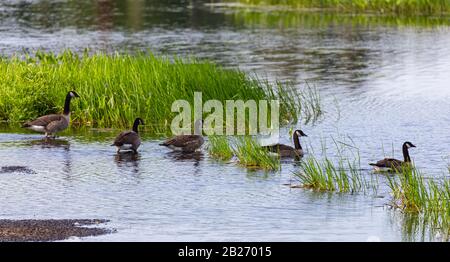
<point>250,154</point>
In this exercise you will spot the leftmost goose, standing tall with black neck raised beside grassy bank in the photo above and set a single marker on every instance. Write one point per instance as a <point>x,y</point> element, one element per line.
<point>51,124</point>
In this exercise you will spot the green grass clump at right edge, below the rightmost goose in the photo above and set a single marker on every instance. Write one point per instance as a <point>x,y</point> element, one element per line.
<point>412,193</point>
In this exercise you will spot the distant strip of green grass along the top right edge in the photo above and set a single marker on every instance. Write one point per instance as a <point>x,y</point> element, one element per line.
<point>406,7</point>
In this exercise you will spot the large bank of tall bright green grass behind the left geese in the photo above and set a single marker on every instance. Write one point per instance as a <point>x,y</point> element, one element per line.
<point>116,88</point>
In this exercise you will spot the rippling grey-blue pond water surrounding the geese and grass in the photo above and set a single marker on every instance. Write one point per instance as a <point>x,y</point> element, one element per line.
<point>382,80</point>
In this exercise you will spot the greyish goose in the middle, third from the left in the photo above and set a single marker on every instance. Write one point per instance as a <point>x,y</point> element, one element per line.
<point>186,143</point>
